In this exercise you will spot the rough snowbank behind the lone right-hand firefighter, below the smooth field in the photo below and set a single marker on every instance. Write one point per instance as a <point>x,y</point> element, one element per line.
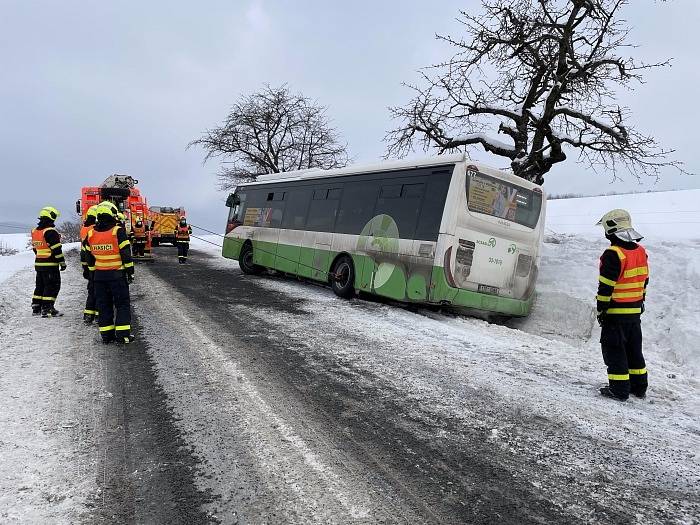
<point>565,305</point>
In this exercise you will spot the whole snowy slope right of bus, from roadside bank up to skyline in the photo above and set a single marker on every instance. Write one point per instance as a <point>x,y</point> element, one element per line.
<point>566,286</point>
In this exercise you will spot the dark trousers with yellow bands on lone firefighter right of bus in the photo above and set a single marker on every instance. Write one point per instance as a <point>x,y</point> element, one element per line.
<point>621,342</point>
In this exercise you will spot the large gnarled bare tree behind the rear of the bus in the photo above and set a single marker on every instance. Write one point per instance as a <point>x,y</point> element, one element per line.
<point>541,73</point>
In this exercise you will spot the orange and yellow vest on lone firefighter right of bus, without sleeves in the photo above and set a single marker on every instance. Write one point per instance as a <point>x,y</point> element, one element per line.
<point>628,290</point>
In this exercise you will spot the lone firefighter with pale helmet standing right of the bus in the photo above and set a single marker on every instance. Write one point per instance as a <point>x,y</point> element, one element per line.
<point>622,284</point>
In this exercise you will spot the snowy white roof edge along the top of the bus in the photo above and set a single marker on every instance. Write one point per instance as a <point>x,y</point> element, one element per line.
<point>437,160</point>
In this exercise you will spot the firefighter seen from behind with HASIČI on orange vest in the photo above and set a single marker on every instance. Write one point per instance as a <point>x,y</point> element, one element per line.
<point>109,258</point>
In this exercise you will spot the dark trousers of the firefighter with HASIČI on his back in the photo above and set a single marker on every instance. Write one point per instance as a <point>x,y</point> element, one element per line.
<point>114,307</point>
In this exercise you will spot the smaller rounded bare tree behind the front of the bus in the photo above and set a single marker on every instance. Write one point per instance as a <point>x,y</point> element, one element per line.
<point>272,131</point>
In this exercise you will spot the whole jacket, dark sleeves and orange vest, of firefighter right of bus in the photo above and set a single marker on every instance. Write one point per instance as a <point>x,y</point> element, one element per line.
<point>624,275</point>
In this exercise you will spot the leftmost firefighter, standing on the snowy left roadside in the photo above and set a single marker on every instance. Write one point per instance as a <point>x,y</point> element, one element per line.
<point>49,261</point>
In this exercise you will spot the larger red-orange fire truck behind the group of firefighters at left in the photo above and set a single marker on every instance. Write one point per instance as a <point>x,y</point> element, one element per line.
<point>122,191</point>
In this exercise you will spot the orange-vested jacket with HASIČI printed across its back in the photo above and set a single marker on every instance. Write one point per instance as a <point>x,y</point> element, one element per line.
<point>108,252</point>
